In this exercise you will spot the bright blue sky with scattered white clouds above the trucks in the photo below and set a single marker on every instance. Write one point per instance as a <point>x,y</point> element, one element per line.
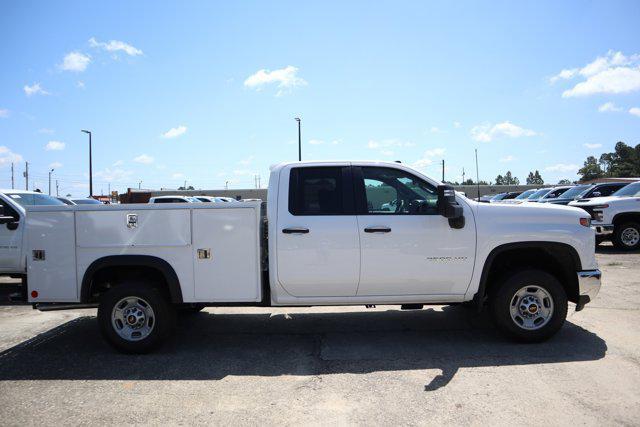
<point>206,92</point>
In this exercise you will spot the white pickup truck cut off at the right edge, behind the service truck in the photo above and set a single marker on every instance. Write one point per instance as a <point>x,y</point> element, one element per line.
<point>617,217</point>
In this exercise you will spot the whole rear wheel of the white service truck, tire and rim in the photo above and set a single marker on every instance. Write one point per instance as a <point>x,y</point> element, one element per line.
<point>135,318</point>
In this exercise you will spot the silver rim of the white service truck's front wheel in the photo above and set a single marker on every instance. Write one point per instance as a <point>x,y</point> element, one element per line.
<point>531,307</point>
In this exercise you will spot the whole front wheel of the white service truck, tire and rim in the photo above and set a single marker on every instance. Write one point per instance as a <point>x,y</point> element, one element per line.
<point>529,306</point>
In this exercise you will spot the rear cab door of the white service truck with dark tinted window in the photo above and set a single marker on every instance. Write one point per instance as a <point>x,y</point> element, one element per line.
<point>317,245</point>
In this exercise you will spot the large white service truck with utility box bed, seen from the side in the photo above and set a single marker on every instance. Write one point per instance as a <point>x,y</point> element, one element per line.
<point>325,240</point>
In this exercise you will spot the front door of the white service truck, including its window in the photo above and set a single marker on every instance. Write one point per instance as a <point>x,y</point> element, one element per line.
<point>405,251</point>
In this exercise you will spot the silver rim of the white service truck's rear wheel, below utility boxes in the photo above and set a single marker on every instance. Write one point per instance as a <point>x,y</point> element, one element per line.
<point>133,318</point>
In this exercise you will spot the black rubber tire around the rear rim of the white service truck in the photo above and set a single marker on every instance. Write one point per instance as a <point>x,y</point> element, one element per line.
<point>163,323</point>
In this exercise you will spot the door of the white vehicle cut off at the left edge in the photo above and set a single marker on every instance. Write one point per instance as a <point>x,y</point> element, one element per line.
<point>10,239</point>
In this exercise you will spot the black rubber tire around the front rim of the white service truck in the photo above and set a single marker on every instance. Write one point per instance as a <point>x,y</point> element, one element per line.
<point>502,299</point>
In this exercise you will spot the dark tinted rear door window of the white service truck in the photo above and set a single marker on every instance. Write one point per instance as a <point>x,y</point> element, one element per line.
<point>317,191</point>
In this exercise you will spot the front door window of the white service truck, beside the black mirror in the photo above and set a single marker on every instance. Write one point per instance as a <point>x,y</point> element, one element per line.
<point>392,191</point>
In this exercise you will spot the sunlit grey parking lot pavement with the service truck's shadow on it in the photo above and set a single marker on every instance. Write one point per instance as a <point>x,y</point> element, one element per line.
<point>348,365</point>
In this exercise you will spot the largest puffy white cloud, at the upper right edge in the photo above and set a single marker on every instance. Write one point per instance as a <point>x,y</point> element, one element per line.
<point>613,73</point>
